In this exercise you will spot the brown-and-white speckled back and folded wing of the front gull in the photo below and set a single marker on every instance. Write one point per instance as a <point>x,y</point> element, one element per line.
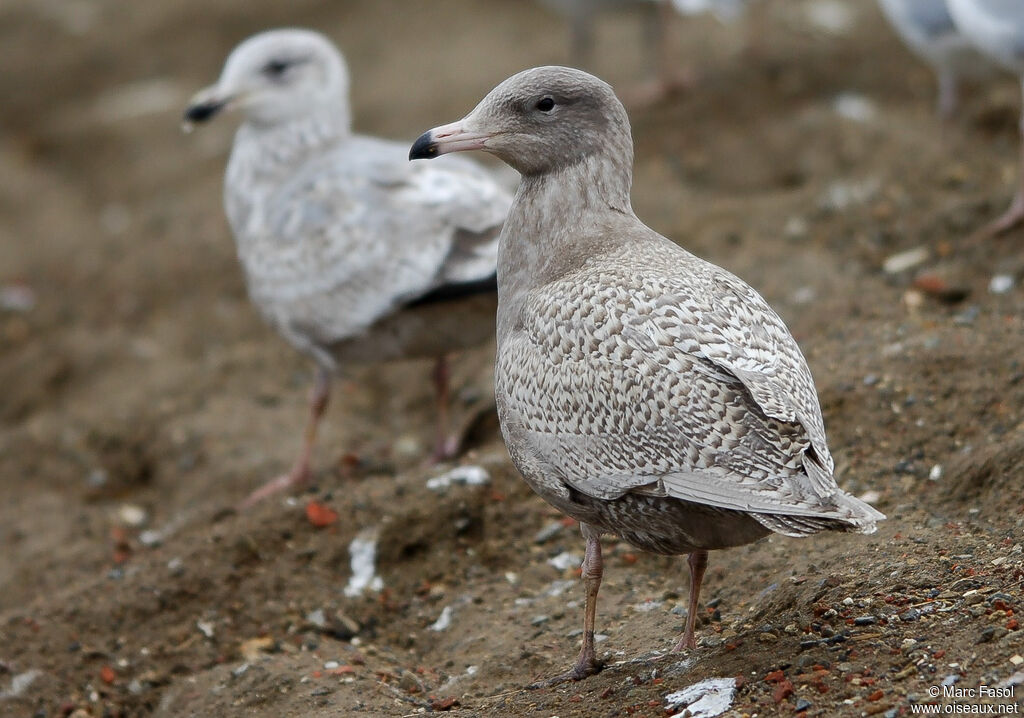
<point>652,371</point>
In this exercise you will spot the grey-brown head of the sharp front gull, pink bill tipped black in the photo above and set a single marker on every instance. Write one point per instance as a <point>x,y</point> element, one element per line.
<point>539,121</point>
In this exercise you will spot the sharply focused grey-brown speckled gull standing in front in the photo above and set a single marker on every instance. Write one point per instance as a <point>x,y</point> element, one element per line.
<point>641,390</point>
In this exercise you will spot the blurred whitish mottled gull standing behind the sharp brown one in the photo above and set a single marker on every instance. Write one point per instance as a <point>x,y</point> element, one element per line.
<point>349,251</point>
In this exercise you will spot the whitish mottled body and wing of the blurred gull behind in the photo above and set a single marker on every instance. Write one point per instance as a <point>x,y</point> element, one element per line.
<point>354,234</point>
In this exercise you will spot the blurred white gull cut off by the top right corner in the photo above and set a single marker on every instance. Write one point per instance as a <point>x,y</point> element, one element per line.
<point>997,29</point>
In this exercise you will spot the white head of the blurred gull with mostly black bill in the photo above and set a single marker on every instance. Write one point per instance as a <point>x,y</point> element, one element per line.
<point>276,77</point>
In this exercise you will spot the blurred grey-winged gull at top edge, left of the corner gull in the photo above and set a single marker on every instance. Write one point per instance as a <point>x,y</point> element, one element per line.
<point>927,28</point>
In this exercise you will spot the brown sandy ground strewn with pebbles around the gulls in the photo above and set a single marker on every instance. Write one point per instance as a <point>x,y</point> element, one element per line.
<point>142,398</point>
